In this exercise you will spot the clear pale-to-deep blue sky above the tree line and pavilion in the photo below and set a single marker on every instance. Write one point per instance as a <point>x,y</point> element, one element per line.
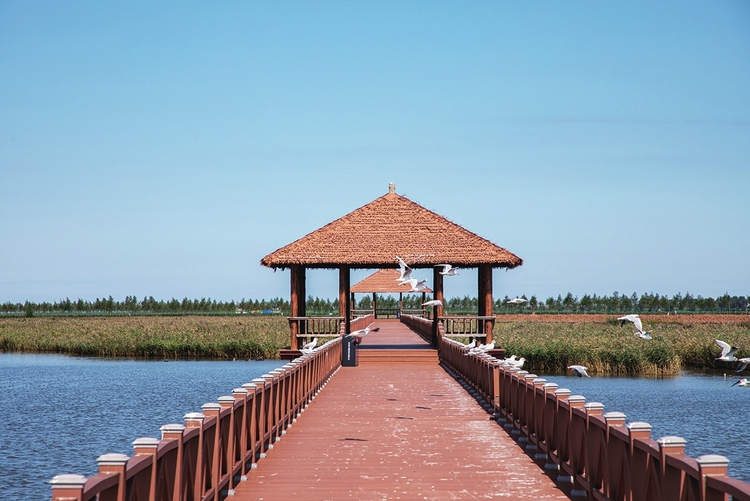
<point>164,148</point>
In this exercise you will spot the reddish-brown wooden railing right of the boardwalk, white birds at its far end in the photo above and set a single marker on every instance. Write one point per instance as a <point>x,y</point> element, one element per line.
<point>595,453</point>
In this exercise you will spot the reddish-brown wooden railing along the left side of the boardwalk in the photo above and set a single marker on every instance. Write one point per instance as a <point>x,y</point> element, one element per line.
<point>215,449</point>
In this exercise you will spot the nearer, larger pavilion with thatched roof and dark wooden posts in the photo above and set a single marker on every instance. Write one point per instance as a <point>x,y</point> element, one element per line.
<point>372,236</point>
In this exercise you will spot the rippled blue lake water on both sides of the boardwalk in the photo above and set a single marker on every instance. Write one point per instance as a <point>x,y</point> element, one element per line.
<point>60,413</point>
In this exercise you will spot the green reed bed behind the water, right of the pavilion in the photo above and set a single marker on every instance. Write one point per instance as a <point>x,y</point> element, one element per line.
<point>605,347</point>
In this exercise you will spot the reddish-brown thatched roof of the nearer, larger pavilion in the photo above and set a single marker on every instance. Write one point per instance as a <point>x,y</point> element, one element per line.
<point>389,226</point>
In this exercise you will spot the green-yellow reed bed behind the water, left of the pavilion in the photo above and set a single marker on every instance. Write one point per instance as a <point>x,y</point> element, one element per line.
<point>167,337</point>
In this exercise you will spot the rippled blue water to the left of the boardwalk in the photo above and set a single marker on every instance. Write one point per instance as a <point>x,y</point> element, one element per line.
<point>61,413</point>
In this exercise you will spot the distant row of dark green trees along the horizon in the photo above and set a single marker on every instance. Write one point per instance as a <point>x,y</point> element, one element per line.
<point>588,303</point>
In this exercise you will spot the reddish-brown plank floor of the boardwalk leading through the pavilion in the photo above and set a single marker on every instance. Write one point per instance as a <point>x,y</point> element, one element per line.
<point>394,430</point>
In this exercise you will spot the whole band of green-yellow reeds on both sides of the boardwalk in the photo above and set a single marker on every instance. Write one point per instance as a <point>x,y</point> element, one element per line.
<point>599,343</point>
